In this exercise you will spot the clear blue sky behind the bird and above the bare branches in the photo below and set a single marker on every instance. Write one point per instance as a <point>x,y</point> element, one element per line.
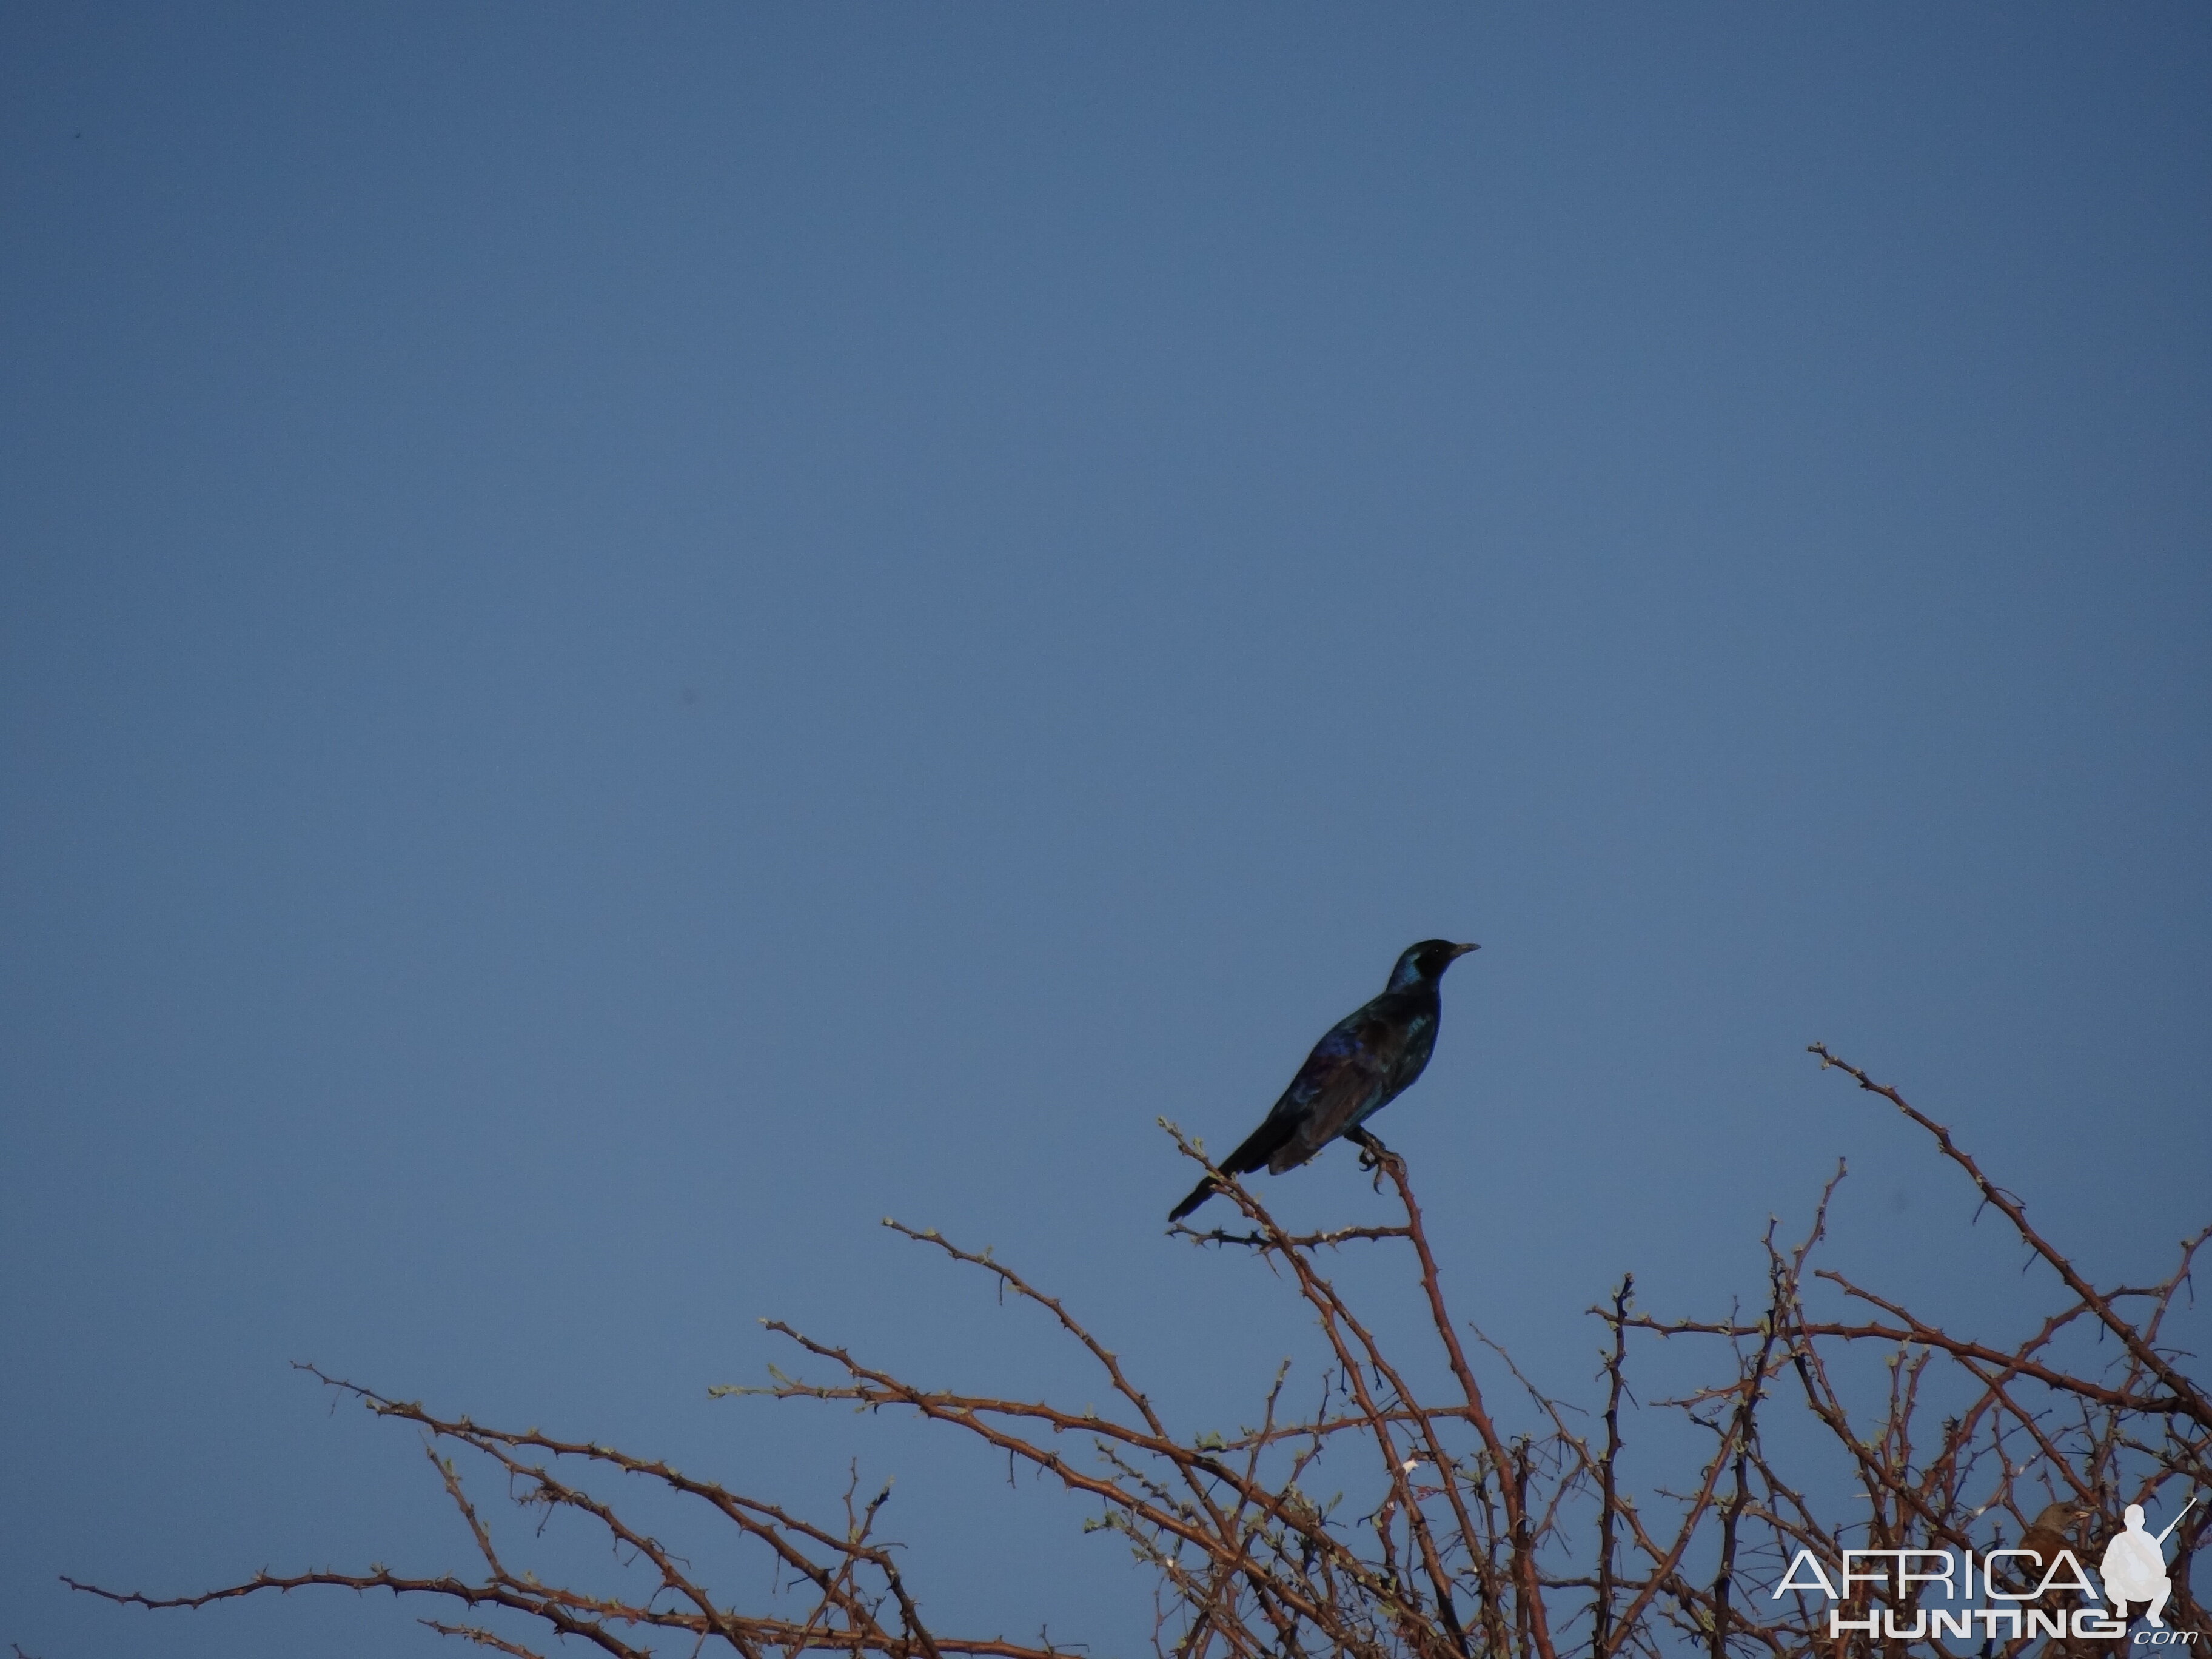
<point>632,638</point>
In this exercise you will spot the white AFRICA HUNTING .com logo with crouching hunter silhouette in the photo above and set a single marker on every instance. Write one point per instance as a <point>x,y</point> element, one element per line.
<point>2133,1572</point>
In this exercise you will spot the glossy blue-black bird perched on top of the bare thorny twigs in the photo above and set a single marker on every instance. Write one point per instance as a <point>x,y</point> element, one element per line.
<point>1357,1070</point>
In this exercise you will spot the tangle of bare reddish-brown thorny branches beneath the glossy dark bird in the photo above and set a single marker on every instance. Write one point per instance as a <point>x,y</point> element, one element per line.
<point>1459,1534</point>
